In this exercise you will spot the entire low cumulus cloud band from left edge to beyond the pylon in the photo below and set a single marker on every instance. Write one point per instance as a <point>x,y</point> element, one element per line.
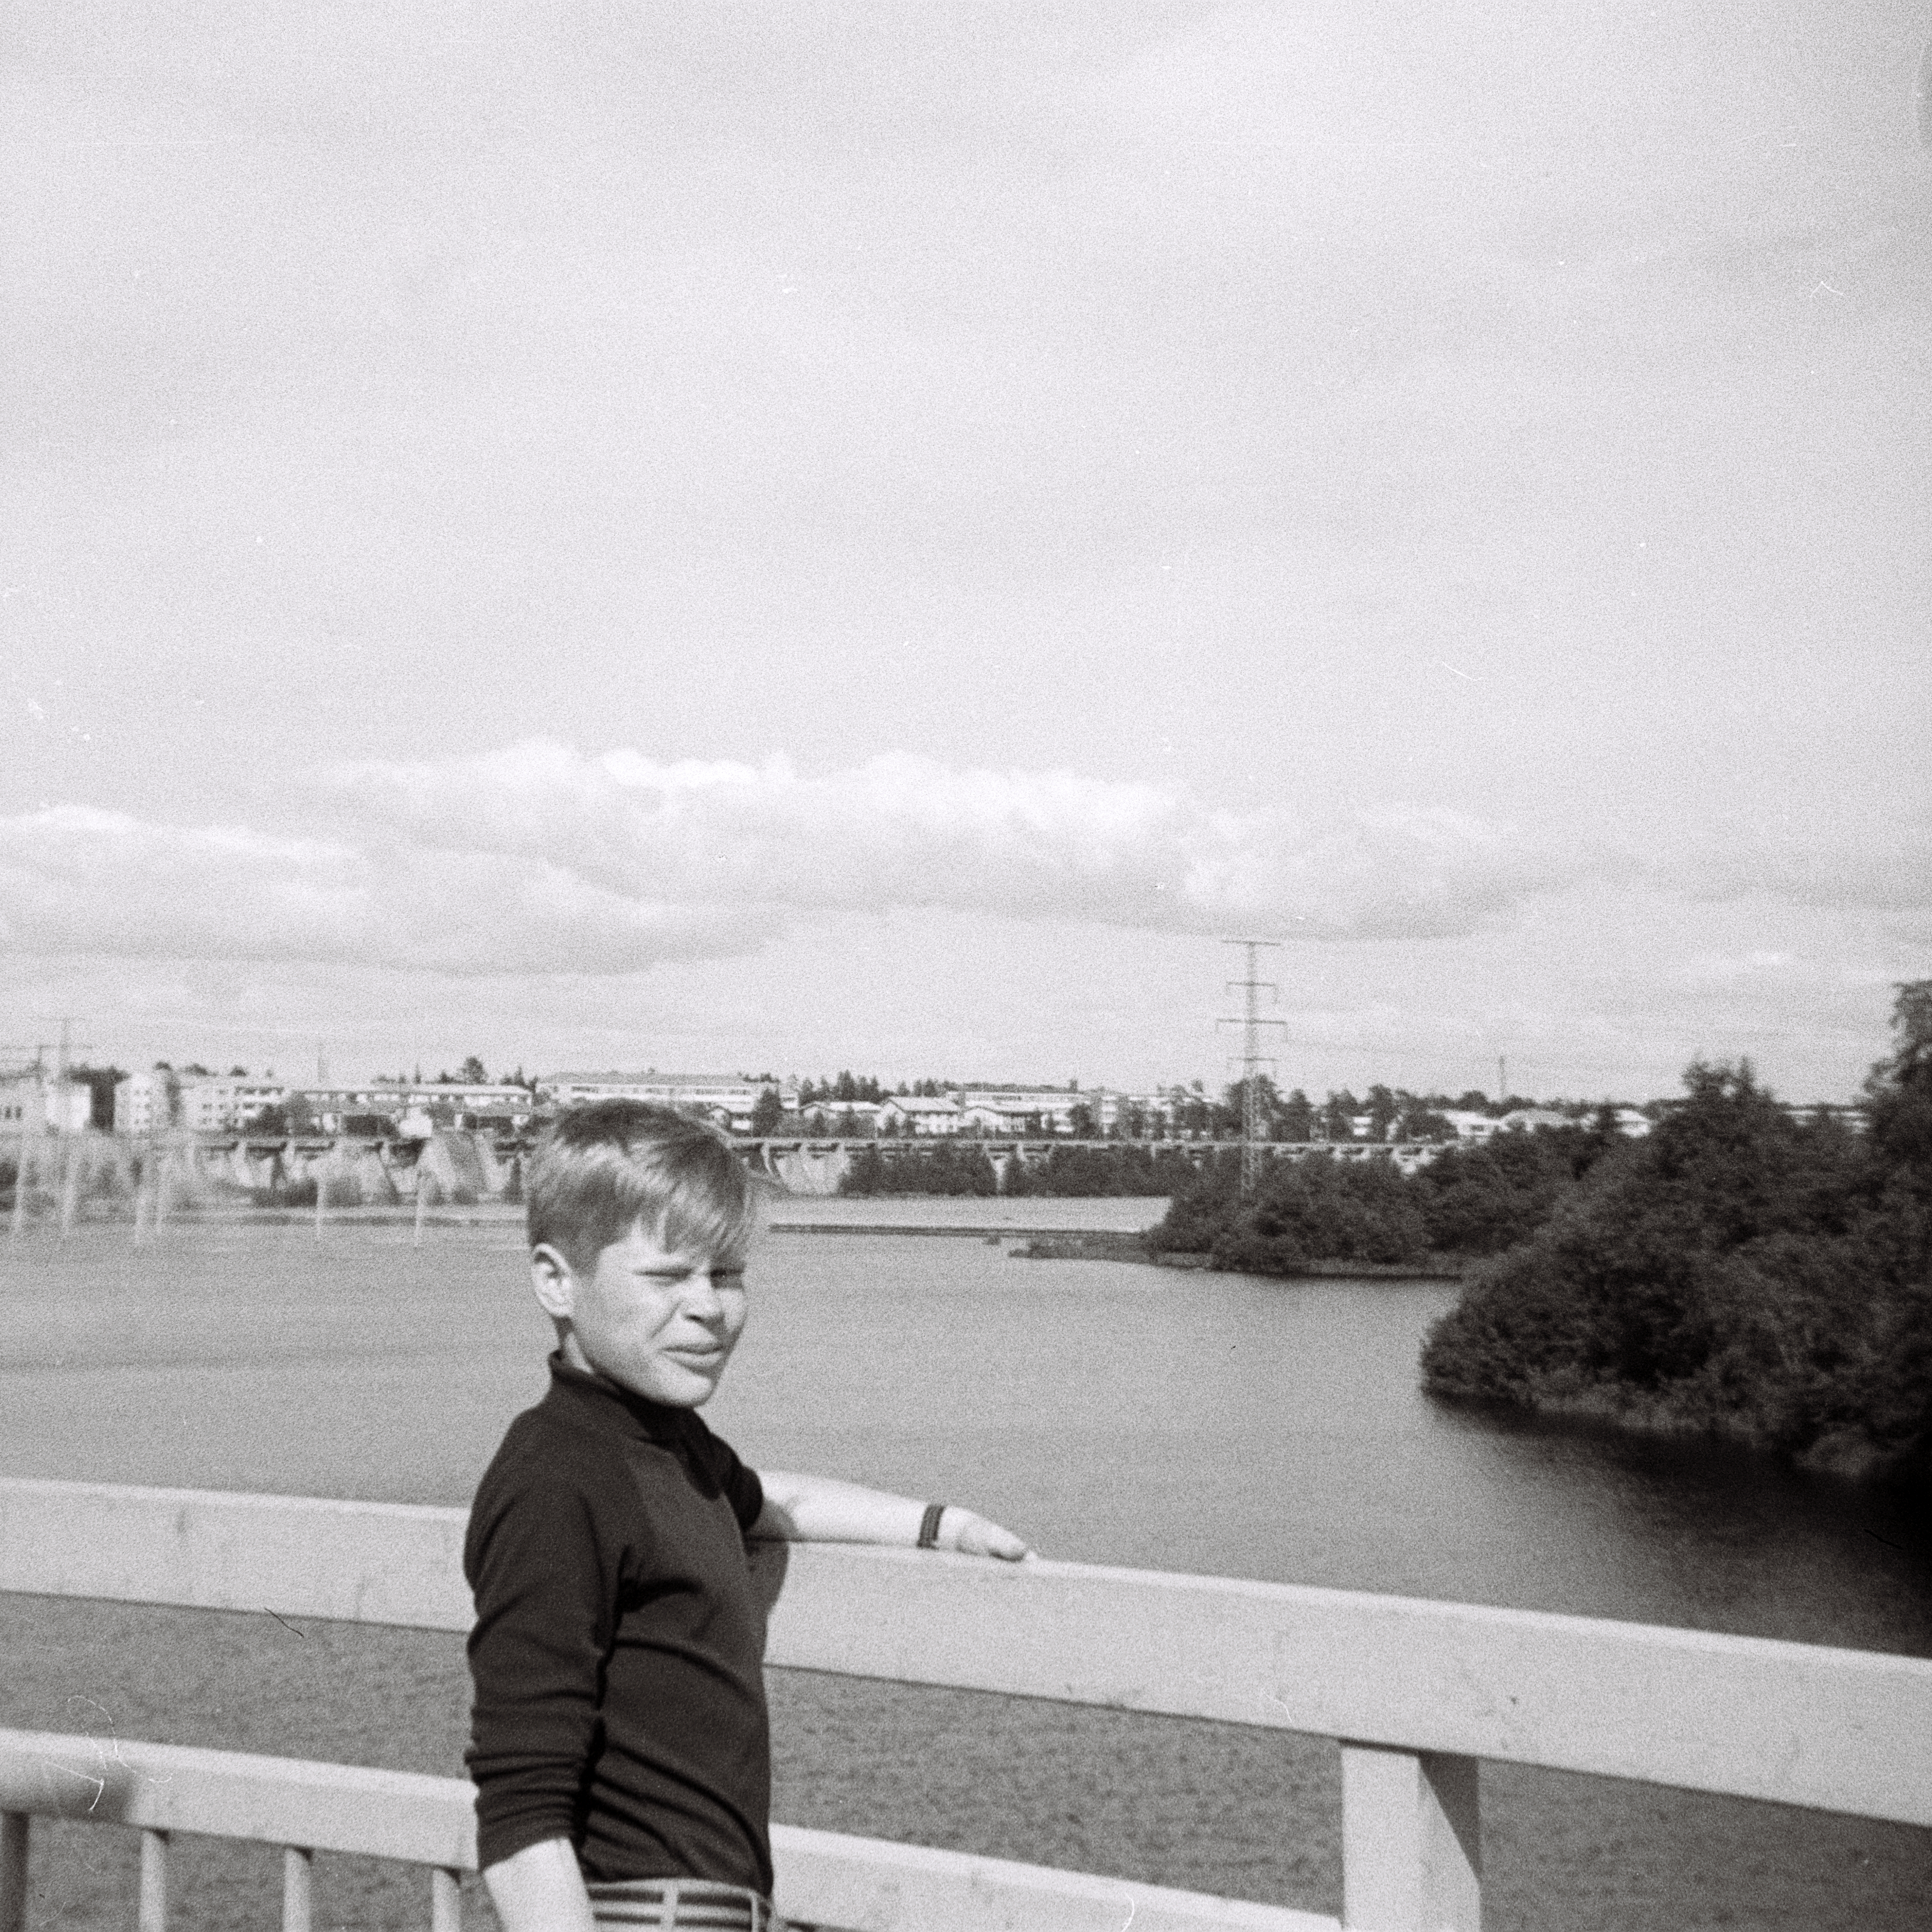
<point>538,859</point>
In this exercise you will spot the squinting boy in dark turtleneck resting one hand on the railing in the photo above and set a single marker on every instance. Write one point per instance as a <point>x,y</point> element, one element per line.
<point>619,1738</point>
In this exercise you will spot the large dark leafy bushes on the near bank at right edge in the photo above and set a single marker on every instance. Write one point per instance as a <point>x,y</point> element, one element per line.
<point>1734,1272</point>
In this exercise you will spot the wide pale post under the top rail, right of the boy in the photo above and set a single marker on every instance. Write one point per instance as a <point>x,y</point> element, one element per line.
<point>1411,1842</point>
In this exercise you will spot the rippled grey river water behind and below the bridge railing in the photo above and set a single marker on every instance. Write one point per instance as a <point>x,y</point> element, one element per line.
<point>1112,1413</point>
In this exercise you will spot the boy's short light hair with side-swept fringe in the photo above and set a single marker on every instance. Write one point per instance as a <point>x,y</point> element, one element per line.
<point>608,1166</point>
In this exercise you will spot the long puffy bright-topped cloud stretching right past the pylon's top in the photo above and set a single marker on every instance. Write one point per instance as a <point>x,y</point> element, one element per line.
<point>911,832</point>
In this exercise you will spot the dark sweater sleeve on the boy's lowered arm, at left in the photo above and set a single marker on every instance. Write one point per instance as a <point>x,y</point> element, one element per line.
<point>546,1593</point>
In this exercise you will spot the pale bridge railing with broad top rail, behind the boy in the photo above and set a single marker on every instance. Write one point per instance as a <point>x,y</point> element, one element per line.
<point>1415,1691</point>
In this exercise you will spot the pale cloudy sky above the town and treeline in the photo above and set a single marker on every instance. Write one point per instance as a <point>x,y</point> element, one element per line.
<point>753,536</point>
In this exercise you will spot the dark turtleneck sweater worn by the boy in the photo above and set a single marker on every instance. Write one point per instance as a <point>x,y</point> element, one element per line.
<point>617,1651</point>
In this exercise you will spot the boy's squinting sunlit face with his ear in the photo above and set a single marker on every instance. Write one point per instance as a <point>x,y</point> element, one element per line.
<point>652,1321</point>
